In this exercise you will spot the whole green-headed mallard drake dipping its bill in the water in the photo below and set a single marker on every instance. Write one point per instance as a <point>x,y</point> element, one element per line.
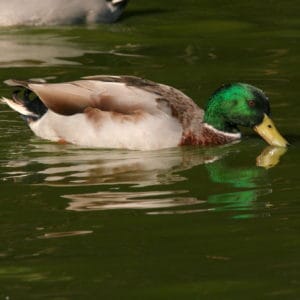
<point>128,112</point>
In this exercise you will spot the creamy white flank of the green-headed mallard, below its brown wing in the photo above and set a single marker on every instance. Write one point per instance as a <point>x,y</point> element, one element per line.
<point>148,133</point>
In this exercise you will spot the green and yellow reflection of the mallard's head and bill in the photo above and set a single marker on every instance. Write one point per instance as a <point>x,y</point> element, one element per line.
<point>248,182</point>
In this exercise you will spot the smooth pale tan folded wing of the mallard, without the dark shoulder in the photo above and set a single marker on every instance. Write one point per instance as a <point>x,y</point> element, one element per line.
<point>74,97</point>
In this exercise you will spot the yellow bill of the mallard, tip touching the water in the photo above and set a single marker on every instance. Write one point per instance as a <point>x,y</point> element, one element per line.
<point>269,133</point>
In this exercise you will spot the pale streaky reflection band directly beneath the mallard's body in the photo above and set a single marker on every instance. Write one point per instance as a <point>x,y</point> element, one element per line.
<point>86,167</point>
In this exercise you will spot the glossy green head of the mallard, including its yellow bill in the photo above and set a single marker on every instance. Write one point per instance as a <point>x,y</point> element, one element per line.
<point>241,104</point>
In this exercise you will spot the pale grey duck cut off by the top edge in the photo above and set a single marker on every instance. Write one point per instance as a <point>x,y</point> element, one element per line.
<point>59,12</point>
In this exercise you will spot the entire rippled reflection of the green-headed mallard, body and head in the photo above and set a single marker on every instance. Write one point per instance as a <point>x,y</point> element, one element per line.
<point>151,180</point>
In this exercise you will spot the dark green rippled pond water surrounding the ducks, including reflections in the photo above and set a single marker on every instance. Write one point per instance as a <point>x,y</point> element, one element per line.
<point>186,223</point>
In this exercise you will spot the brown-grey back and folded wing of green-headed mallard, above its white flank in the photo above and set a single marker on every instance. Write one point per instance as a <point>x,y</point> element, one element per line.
<point>117,94</point>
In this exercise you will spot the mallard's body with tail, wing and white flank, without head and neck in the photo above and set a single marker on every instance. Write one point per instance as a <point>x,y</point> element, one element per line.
<point>109,112</point>
